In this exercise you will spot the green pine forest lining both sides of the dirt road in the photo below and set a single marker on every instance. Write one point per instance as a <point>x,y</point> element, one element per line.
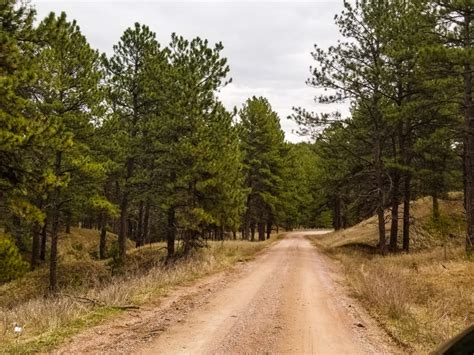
<point>138,143</point>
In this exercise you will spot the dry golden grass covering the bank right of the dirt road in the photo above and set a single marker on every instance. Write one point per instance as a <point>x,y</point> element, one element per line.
<point>423,298</point>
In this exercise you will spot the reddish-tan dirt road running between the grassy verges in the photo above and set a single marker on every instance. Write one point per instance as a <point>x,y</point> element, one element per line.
<point>290,299</point>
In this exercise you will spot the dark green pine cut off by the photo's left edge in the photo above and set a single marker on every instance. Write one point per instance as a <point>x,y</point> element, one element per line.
<point>22,134</point>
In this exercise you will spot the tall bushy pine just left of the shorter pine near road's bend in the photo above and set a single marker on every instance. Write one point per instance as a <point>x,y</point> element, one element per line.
<point>197,71</point>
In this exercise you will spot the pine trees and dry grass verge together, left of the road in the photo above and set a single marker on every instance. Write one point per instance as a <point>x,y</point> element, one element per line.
<point>123,175</point>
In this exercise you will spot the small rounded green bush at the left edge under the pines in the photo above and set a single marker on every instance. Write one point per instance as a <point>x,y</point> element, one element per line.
<point>12,265</point>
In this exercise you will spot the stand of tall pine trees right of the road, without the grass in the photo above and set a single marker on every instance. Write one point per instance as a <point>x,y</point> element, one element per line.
<point>406,69</point>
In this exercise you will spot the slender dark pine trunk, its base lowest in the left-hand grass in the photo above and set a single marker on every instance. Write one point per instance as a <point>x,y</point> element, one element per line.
<point>55,215</point>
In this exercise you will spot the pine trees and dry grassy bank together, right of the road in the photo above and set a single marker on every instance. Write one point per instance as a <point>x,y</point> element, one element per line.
<point>387,169</point>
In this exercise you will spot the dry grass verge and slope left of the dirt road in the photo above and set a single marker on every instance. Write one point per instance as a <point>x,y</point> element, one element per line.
<point>91,293</point>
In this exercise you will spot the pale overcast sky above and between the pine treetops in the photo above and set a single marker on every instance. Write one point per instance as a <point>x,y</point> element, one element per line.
<point>268,44</point>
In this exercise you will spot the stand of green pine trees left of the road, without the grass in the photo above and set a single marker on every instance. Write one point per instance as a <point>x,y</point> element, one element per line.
<point>136,144</point>
